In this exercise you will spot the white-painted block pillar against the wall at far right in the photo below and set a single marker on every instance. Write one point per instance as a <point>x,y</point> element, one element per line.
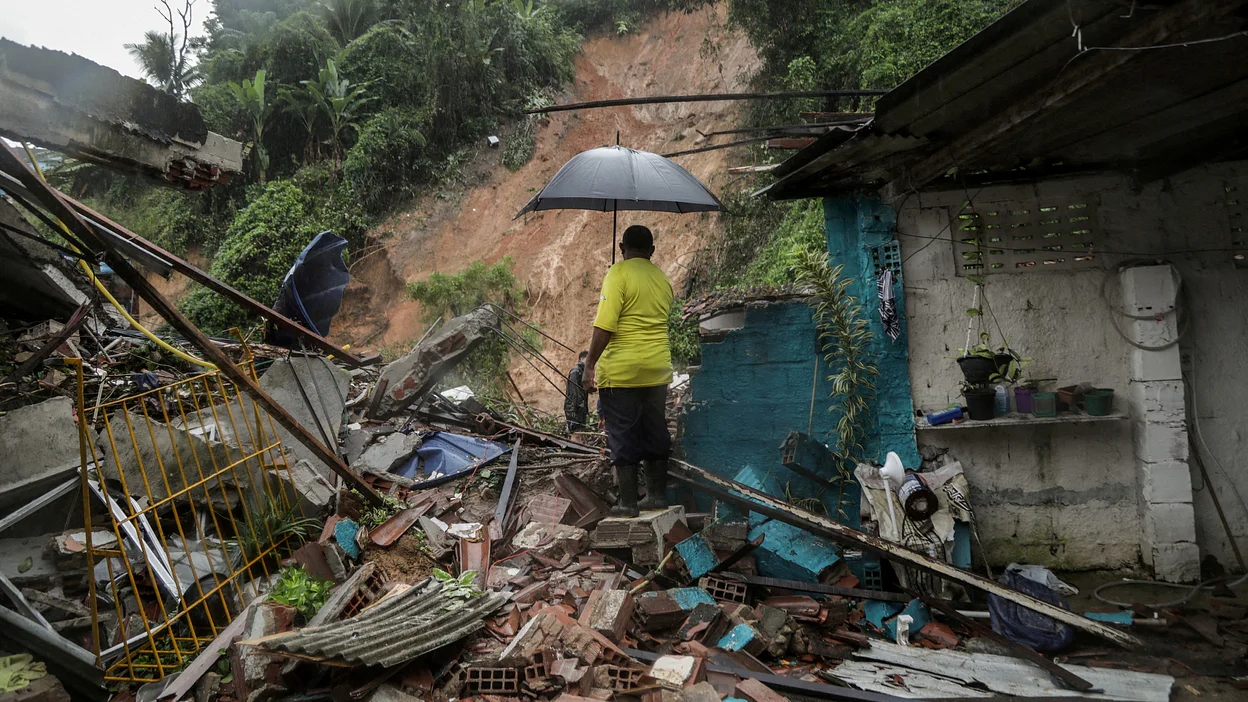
<point>1160,427</point>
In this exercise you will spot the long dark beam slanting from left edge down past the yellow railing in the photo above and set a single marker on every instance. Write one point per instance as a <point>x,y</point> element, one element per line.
<point>52,200</point>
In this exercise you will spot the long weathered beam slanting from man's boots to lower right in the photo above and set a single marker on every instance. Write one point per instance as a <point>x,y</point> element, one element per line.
<point>763,504</point>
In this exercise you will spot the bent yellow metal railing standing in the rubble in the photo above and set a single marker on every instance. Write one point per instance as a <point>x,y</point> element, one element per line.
<point>193,484</point>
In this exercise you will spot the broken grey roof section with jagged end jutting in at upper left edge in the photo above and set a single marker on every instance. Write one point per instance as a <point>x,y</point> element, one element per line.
<point>69,104</point>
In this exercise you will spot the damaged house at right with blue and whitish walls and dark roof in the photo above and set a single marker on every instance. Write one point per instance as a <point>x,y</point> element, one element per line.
<point>1100,195</point>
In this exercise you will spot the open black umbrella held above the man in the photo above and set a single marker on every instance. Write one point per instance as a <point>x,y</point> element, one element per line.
<point>611,179</point>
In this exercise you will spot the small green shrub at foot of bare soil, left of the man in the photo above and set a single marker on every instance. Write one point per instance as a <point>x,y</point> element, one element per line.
<point>447,297</point>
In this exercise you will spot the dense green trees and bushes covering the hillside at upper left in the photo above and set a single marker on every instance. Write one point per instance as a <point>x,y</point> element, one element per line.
<point>349,107</point>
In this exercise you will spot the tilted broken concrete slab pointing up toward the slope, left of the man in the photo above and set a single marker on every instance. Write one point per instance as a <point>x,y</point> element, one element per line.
<point>411,378</point>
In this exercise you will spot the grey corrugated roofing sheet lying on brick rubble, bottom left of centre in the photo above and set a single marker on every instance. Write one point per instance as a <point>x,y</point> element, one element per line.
<point>396,630</point>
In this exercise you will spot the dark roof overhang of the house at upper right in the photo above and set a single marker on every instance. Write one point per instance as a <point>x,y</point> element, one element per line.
<point>1023,102</point>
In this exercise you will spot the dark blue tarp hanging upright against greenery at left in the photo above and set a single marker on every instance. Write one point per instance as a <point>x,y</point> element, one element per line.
<point>313,289</point>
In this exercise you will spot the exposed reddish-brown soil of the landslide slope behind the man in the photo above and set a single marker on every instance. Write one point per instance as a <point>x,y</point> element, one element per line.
<point>561,257</point>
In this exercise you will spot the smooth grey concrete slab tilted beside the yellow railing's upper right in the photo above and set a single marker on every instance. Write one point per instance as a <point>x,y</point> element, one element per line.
<point>326,387</point>
